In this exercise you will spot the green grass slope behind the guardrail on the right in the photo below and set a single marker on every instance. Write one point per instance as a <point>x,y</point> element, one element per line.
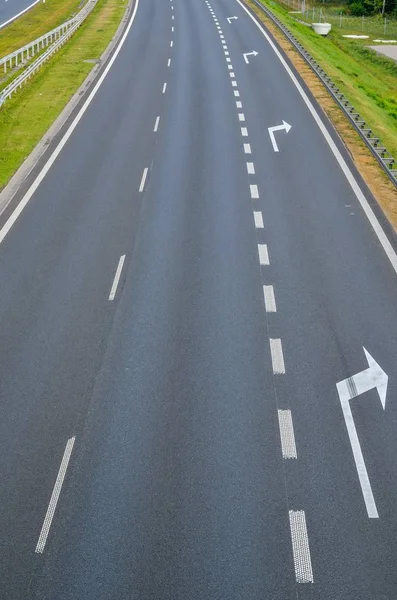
<point>367,79</point>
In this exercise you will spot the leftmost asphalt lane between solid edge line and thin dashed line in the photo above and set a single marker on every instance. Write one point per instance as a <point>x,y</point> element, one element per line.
<point>57,268</point>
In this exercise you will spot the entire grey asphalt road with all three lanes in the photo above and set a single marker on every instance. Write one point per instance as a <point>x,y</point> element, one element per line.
<point>252,281</point>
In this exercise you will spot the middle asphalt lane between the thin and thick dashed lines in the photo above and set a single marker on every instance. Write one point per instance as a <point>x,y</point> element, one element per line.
<point>177,489</point>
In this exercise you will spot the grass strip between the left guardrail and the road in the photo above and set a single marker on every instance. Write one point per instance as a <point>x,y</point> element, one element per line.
<point>25,118</point>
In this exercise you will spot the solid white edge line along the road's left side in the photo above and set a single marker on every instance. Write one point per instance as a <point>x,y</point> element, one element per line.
<point>24,201</point>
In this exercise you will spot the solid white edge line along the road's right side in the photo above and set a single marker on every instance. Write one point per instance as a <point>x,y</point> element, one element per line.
<point>382,237</point>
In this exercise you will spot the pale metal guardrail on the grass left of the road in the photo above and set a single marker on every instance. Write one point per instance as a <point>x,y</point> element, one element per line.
<point>53,39</point>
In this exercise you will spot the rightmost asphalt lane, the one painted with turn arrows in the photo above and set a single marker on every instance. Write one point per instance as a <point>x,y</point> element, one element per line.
<point>335,292</point>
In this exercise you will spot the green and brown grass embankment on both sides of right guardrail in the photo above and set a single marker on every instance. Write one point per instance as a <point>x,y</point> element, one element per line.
<point>368,80</point>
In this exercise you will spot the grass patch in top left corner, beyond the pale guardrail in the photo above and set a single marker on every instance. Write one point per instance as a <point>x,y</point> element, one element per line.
<point>41,18</point>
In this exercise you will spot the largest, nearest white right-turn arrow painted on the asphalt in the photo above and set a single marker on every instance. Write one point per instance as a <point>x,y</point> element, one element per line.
<point>369,379</point>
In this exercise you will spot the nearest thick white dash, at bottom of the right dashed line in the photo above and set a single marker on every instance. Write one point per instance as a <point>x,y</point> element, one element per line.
<point>300,546</point>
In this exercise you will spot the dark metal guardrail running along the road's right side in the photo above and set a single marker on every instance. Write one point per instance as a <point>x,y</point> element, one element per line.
<point>374,143</point>
